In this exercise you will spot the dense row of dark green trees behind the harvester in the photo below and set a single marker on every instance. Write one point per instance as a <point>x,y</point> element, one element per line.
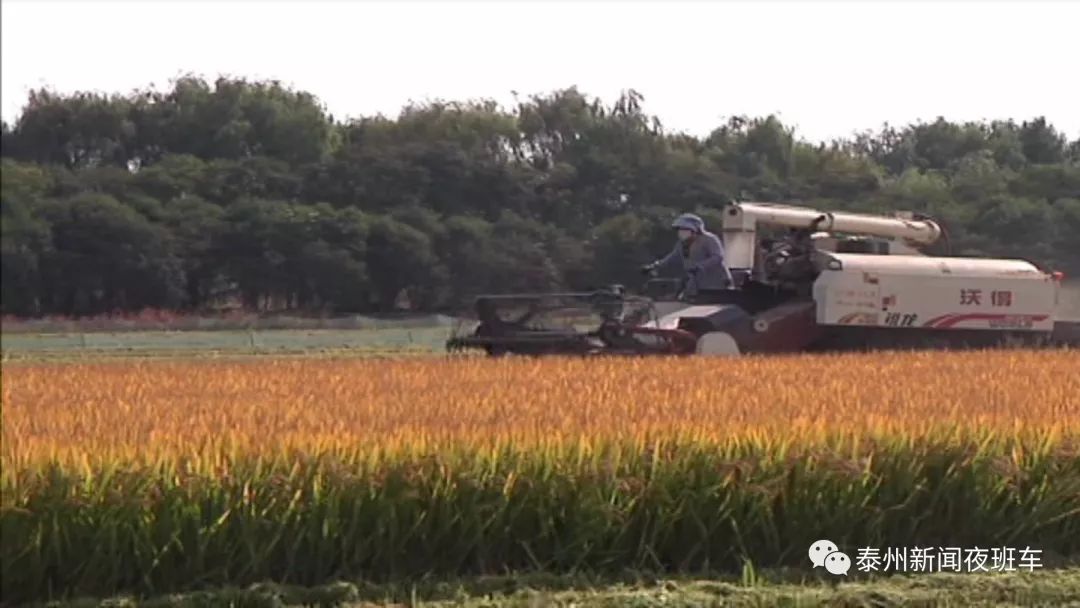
<point>252,193</point>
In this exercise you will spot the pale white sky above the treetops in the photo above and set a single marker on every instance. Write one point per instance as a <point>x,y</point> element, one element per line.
<point>828,69</point>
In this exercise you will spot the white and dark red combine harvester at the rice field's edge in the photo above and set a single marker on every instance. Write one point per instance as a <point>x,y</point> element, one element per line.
<point>831,281</point>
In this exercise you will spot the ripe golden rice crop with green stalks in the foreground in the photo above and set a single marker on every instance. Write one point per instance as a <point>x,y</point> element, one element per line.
<point>163,477</point>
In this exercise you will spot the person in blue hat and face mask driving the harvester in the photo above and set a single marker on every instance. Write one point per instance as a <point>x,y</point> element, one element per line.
<point>701,255</point>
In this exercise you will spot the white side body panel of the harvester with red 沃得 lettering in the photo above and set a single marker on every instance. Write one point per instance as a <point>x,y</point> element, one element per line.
<point>934,293</point>
